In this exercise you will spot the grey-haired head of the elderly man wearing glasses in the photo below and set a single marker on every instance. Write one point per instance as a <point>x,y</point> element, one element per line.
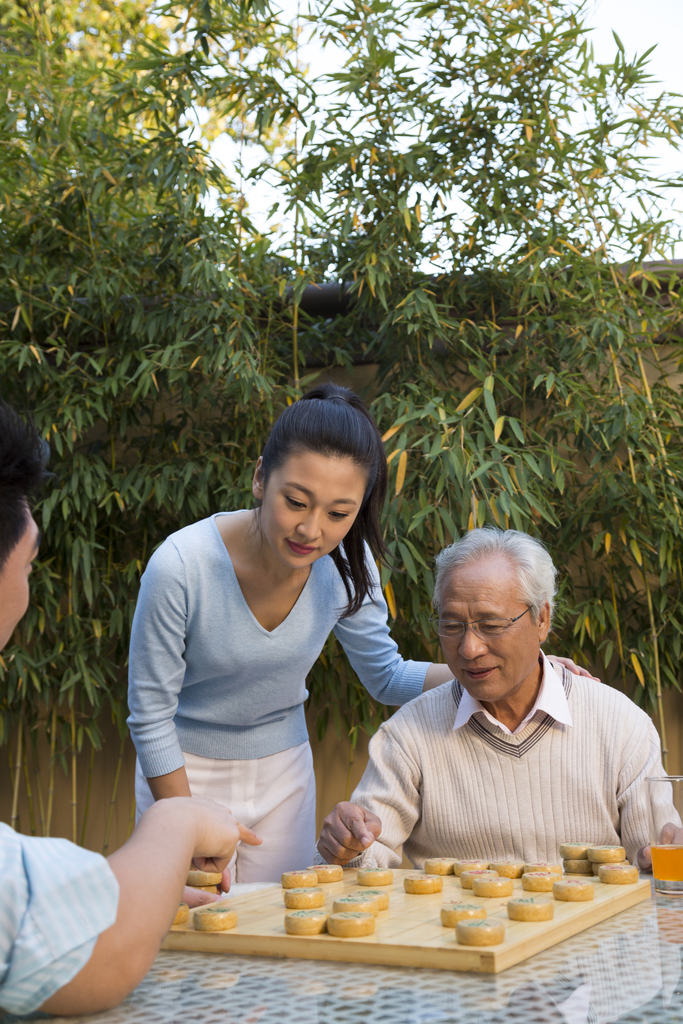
<point>493,577</point>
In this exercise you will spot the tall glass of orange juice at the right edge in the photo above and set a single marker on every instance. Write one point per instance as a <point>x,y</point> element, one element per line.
<point>665,807</point>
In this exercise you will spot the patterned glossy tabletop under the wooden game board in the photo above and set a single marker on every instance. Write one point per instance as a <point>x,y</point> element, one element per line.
<point>626,969</point>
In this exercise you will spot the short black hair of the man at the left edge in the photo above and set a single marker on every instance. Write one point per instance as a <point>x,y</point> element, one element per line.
<point>22,467</point>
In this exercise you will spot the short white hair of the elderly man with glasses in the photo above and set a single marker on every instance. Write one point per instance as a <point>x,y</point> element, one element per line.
<point>536,574</point>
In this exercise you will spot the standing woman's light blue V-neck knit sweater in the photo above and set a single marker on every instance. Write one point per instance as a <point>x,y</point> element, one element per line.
<point>207,678</point>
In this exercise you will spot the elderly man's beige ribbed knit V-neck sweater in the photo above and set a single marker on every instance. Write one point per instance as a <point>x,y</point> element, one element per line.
<point>481,793</point>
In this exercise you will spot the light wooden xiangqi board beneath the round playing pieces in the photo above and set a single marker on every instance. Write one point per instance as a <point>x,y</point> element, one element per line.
<point>410,933</point>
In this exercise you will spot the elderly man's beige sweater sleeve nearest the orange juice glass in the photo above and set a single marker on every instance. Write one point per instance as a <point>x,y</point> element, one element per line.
<point>644,759</point>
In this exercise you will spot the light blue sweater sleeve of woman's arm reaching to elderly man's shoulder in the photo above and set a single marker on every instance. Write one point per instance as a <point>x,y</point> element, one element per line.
<point>374,656</point>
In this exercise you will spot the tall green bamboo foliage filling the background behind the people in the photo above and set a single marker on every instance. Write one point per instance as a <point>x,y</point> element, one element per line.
<point>483,187</point>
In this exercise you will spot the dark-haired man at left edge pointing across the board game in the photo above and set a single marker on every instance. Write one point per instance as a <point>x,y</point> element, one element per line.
<point>79,932</point>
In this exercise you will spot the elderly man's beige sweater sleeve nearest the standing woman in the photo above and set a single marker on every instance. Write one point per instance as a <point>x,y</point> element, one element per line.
<point>391,788</point>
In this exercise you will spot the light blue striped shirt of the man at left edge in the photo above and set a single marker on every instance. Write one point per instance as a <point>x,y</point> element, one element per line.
<point>56,900</point>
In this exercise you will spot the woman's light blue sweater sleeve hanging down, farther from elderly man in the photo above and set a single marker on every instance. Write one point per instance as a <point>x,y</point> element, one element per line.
<point>157,667</point>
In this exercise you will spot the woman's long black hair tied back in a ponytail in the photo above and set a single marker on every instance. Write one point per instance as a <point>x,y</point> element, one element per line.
<point>333,421</point>
